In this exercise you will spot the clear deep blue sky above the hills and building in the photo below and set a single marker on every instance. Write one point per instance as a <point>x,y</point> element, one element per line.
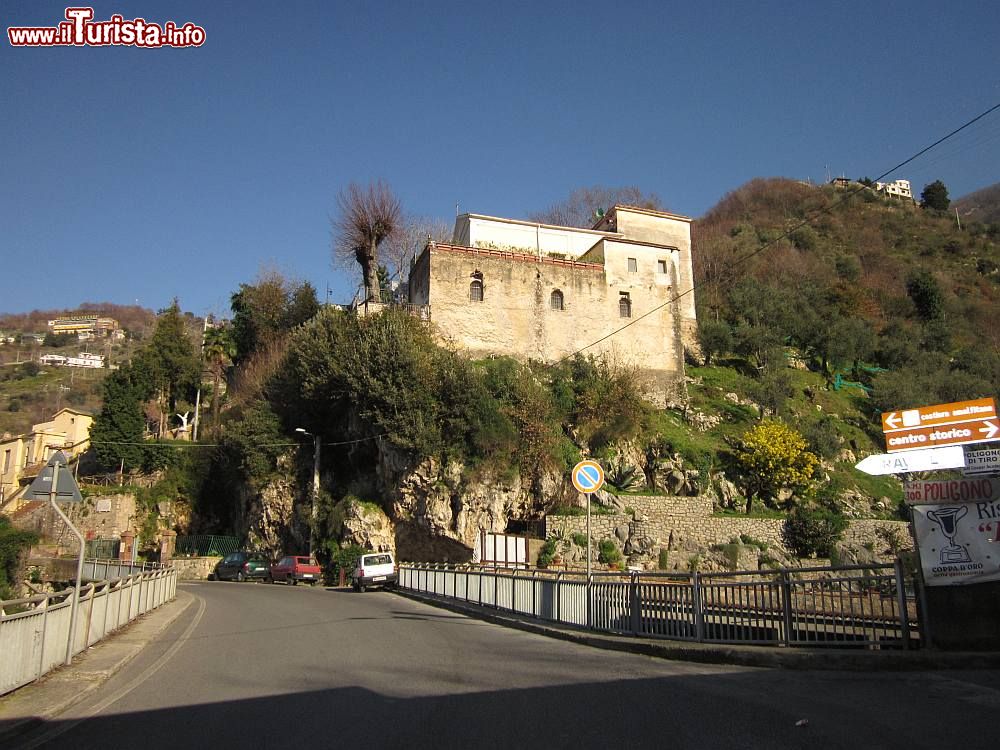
<point>143,174</point>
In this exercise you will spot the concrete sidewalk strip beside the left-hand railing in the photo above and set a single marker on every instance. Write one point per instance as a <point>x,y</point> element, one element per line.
<point>65,686</point>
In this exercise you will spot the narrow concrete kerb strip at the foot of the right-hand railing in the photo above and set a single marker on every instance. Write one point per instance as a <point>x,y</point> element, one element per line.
<point>770,657</point>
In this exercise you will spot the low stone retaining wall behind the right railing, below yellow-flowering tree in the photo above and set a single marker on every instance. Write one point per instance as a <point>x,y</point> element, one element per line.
<point>688,523</point>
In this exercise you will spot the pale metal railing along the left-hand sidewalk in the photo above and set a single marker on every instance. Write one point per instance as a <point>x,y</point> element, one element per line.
<point>34,632</point>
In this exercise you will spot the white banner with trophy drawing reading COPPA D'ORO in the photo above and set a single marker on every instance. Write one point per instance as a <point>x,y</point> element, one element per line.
<point>959,542</point>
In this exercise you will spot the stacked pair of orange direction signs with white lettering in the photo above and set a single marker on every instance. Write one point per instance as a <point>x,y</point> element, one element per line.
<point>944,424</point>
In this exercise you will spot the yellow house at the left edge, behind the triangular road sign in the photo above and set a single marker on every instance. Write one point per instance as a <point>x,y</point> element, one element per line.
<point>22,456</point>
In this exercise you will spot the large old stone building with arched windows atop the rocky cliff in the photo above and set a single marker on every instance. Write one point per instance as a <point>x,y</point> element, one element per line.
<point>530,290</point>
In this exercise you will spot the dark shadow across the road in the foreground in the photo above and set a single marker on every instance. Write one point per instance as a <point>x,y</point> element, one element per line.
<point>728,710</point>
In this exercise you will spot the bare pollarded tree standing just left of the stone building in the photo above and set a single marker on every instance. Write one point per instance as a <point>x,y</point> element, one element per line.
<point>368,215</point>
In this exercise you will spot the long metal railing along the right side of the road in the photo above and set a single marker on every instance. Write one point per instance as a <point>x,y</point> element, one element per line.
<point>862,606</point>
